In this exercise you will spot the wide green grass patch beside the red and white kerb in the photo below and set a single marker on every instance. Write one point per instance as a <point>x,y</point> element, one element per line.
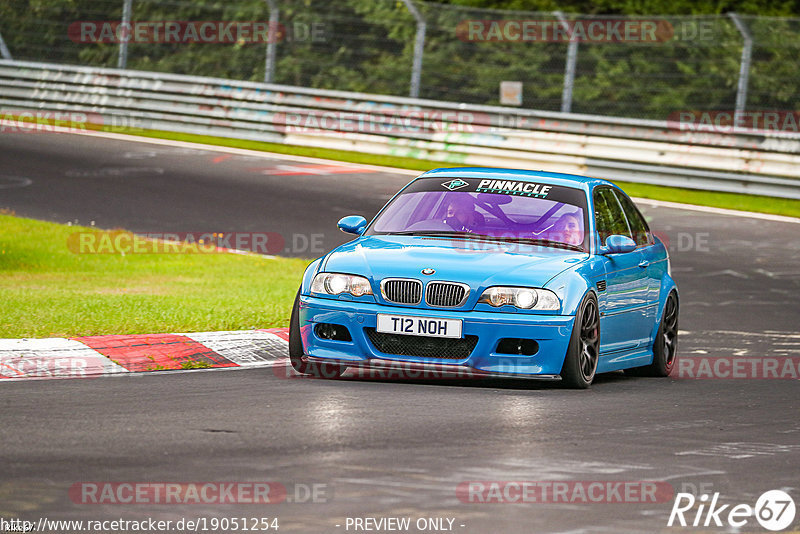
<point>47,291</point>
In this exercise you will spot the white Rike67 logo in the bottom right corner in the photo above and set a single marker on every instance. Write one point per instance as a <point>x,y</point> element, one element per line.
<point>774,510</point>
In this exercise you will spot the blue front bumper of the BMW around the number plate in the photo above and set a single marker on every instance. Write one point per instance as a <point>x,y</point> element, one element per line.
<point>551,332</point>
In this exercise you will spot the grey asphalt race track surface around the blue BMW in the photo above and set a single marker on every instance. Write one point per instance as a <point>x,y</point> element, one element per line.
<point>391,448</point>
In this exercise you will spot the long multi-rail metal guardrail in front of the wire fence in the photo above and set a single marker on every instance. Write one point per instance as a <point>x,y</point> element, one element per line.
<point>614,148</point>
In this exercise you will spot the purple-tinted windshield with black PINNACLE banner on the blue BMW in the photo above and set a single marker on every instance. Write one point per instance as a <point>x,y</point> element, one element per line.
<point>503,210</point>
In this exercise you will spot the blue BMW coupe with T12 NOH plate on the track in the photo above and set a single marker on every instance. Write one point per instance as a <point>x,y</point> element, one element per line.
<point>495,271</point>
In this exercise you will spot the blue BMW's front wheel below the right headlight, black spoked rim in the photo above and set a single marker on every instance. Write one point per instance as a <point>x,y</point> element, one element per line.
<point>580,364</point>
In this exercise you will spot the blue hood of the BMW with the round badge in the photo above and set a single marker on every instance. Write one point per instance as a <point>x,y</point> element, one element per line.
<point>479,264</point>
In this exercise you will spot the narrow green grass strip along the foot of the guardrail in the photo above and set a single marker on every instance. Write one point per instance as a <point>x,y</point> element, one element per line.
<point>778,206</point>
